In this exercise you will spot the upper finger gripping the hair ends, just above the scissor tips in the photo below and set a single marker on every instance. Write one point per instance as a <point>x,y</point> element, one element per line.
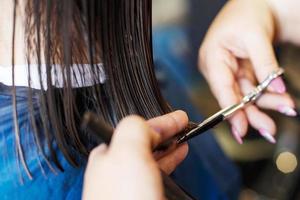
<point>169,124</point>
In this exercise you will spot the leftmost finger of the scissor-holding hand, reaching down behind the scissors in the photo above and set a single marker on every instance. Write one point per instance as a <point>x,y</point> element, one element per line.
<point>224,86</point>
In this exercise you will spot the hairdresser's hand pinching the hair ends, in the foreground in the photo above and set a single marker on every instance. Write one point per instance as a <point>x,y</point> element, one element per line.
<point>127,169</point>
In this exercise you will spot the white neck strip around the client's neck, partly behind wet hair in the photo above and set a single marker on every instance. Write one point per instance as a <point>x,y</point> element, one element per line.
<point>81,76</point>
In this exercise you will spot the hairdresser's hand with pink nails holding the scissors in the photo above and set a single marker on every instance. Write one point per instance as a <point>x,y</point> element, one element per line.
<point>236,54</point>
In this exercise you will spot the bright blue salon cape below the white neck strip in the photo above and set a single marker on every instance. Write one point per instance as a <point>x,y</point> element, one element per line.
<point>14,183</point>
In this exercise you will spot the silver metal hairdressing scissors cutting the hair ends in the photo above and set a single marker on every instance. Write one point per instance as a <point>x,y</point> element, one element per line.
<point>225,113</point>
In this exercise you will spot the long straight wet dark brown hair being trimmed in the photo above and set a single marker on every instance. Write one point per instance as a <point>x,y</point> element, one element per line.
<point>68,33</point>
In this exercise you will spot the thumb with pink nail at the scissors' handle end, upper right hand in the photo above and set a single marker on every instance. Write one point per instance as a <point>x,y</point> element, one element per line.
<point>264,61</point>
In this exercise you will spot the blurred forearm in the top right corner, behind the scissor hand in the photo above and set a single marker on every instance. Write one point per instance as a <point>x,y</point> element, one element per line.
<point>287,15</point>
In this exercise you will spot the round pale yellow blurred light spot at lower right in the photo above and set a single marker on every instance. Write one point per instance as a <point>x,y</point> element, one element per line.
<point>286,162</point>
